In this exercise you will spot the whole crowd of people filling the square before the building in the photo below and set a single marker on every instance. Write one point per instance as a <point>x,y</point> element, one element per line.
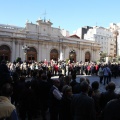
<point>63,98</point>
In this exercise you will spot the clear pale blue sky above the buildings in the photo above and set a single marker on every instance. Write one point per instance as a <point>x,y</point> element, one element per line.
<point>68,14</point>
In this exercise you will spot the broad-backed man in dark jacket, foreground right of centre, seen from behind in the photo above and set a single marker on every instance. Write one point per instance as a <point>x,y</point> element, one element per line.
<point>82,106</point>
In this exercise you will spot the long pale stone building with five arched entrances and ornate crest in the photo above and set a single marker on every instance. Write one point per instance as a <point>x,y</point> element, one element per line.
<point>44,42</point>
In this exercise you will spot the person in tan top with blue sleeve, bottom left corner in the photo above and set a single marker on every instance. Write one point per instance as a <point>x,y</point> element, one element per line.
<point>7,110</point>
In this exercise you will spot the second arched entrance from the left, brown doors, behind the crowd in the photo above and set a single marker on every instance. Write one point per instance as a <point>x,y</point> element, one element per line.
<point>31,54</point>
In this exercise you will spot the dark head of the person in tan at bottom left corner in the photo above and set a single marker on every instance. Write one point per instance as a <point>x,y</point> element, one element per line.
<point>6,90</point>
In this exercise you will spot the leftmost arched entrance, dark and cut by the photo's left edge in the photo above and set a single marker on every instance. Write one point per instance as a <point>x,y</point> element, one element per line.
<point>5,53</point>
